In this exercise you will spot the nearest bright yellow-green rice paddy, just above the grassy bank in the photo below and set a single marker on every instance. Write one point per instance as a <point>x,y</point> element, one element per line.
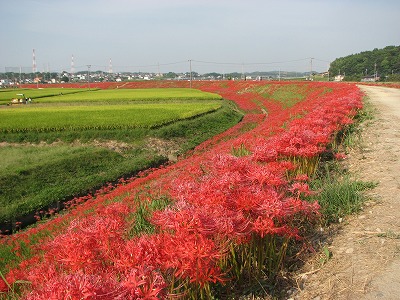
<point>81,117</point>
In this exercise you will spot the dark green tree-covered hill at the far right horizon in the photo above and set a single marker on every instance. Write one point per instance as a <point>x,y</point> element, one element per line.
<point>384,63</point>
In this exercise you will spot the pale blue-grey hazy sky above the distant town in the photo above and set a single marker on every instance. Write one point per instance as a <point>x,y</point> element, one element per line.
<point>207,35</point>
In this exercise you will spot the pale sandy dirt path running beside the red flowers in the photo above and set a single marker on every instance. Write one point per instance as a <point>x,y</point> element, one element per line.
<point>365,261</point>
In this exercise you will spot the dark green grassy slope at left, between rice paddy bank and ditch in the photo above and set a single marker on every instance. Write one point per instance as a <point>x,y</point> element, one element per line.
<point>65,172</point>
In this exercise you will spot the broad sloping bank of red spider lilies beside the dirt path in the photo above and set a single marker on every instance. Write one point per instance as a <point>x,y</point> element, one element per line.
<point>231,213</point>
